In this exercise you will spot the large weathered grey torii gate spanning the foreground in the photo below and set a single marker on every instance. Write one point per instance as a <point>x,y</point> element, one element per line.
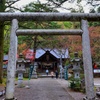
<point>83,32</point>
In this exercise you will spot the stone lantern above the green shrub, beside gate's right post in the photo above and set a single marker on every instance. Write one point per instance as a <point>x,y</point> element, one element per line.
<point>76,66</point>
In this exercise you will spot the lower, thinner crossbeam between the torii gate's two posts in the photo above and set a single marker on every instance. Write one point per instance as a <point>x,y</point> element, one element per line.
<point>48,32</point>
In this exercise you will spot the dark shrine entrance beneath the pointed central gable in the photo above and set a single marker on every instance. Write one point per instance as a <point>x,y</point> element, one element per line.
<point>47,61</point>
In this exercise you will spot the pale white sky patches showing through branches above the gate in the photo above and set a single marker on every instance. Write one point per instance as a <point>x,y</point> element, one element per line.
<point>22,3</point>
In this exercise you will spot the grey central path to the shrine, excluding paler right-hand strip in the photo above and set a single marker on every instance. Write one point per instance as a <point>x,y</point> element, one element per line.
<point>42,89</point>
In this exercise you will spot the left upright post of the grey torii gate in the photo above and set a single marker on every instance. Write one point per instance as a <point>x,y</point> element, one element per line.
<point>12,62</point>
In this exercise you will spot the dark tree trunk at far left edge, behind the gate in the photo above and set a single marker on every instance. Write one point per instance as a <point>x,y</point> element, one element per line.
<point>4,4</point>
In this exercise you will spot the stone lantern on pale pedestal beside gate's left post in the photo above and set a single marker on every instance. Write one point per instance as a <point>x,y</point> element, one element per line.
<point>20,69</point>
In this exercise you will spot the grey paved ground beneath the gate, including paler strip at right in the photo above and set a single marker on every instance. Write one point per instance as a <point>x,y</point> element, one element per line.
<point>48,89</point>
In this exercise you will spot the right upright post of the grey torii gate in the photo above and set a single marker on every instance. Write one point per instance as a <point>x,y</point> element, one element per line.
<point>87,61</point>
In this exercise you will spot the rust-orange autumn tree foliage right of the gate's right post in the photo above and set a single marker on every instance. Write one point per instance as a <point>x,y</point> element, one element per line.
<point>95,42</point>
